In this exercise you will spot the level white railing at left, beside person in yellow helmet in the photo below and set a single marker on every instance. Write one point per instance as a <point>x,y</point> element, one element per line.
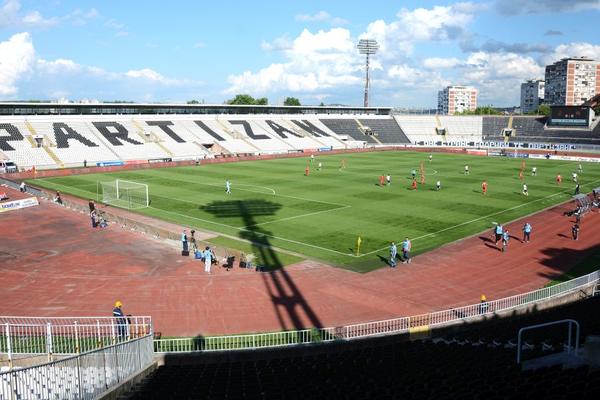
<point>69,335</point>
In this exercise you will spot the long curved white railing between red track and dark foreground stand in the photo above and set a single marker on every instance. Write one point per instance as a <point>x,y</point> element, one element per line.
<point>375,328</point>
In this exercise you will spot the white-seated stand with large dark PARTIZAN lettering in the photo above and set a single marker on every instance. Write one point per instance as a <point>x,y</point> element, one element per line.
<point>62,141</point>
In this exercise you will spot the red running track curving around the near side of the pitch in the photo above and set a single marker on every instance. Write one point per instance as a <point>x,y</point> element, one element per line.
<point>52,263</point>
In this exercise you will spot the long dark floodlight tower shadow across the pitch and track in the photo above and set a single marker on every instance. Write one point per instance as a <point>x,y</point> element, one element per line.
<point>290,306</point>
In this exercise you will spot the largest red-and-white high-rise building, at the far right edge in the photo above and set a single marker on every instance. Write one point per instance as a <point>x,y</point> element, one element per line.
<point>572,81</point>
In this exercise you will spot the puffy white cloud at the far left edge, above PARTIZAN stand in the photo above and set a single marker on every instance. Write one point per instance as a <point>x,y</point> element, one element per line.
<point>17,57</point>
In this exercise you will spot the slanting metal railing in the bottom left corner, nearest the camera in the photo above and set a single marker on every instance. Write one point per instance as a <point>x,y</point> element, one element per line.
<point>83,376</point>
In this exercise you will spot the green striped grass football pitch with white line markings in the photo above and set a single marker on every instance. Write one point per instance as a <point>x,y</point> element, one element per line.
<point>321,215</point>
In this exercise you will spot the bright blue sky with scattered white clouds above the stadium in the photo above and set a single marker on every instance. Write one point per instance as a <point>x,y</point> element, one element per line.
<point>175,51</point>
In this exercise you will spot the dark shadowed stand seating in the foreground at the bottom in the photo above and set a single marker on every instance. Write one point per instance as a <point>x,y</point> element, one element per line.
<point>479,363</point>
